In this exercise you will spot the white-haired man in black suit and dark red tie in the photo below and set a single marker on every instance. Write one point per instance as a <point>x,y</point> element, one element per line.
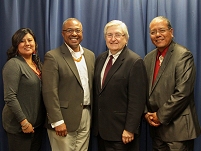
<point>119,96</point>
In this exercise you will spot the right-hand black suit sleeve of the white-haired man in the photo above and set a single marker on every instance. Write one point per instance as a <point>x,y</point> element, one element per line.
<point>137,91</point>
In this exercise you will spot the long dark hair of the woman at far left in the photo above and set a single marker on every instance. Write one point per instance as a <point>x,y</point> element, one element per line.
<point>16,39</point>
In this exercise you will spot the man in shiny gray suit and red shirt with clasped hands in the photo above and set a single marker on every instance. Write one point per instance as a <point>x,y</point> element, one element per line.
<point>171,76</point>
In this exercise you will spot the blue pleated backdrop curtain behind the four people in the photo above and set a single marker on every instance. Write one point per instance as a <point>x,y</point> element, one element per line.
<point>45,18</point>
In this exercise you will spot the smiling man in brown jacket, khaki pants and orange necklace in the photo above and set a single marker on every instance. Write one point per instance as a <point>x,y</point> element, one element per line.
<point>67,90</point>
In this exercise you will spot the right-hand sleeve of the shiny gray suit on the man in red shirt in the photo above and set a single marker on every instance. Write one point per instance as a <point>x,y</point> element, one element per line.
<point>183,92</point>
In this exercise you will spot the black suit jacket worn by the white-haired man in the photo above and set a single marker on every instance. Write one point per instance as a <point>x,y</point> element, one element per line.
<point>119,104</point>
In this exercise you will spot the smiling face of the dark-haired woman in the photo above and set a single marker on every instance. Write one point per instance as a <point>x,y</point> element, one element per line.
<point>27,46</point>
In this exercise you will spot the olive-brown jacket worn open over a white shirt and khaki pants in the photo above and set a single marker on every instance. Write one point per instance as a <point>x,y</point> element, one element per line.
<point>61,85</point>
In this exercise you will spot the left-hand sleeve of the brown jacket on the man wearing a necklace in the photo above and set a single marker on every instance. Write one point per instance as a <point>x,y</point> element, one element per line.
<point>50,81</point>
